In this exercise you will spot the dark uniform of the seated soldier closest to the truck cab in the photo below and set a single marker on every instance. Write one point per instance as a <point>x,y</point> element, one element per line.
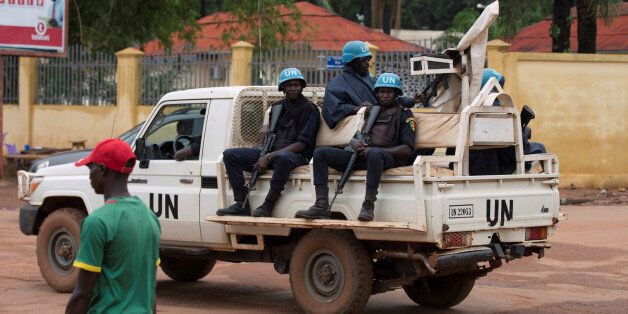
<point>297,123</point>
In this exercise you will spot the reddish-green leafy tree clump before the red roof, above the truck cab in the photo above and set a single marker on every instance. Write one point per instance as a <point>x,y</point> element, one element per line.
<point>262,21</point>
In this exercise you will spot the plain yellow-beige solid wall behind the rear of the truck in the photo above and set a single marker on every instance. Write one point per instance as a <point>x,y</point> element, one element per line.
<point>581,106</point>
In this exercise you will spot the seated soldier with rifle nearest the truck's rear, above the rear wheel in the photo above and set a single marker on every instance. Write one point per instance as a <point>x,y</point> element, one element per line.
<point>392,141</point>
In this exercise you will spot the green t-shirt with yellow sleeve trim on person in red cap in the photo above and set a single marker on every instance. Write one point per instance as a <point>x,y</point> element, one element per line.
<point>121,242</point>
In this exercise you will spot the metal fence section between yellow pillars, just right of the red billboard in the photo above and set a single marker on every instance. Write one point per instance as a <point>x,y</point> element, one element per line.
<point>85,77</point>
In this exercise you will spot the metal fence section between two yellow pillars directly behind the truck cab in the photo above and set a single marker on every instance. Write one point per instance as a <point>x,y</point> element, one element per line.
<point>185,69</point>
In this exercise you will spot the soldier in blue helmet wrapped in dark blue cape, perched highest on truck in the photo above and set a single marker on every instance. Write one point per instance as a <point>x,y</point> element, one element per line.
<point>353,88</point>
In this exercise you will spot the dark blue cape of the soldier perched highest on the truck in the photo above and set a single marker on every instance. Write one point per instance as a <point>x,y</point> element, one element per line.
<point>347,91</point>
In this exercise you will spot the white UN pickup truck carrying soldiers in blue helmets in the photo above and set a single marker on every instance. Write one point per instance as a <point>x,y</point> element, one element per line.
<point>436,228</point>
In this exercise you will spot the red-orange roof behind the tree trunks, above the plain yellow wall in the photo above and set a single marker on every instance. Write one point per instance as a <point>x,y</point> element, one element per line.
<point>535,38</point>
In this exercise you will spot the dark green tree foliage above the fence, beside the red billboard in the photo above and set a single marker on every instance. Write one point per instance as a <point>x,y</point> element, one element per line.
<point>110,25</point>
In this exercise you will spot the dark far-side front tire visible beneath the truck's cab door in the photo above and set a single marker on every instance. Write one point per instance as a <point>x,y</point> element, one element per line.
<point>187,269</point>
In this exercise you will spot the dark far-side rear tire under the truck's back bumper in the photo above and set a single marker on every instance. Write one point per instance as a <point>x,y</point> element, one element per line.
<point>440,293</point>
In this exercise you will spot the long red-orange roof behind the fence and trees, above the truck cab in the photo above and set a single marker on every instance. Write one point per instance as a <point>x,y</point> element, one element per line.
<point>323,30</point>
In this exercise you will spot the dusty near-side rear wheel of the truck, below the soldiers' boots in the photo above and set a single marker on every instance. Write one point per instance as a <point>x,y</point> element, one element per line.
<point>331,272</point>
